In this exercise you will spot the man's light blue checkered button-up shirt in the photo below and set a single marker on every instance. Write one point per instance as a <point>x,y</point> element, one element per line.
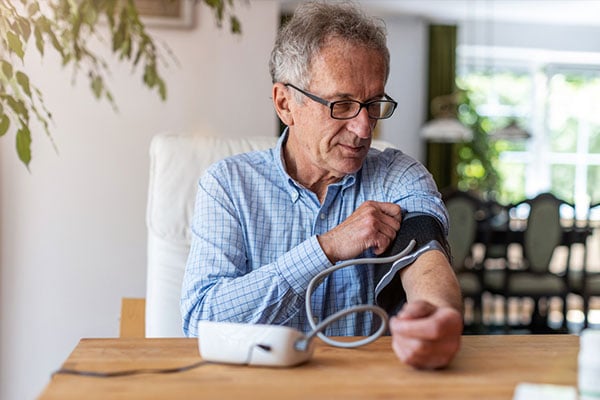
<point>254,243</point>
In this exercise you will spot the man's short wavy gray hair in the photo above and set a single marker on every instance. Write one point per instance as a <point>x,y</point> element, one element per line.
<point>312,24</point>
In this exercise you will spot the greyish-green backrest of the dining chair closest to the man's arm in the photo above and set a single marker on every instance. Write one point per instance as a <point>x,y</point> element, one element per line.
<point>462,210</point>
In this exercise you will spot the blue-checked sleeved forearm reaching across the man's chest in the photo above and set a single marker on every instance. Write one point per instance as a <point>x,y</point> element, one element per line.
<point>270,294</point>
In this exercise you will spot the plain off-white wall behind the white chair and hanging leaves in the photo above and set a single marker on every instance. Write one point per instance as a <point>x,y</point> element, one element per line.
<point>72,232</point>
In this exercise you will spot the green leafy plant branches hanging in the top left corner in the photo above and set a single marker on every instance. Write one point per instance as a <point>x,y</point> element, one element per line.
<point>68,27</point>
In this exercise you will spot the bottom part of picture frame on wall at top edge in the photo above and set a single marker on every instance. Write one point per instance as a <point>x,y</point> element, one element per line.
<point>167,13</point>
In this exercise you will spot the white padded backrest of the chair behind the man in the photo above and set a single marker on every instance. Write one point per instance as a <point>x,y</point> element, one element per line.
<point>176,163</point>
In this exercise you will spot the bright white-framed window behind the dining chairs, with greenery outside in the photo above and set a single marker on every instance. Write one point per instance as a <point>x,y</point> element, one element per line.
<point>557,101</point>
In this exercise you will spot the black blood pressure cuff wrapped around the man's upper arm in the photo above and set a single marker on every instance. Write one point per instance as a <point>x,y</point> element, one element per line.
<point>429,235</point>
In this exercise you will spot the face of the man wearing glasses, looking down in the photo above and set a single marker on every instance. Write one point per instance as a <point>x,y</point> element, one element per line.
<point>321,144</point>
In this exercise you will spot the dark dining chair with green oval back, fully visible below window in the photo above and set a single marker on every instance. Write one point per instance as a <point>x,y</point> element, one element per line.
<point>531,276</point>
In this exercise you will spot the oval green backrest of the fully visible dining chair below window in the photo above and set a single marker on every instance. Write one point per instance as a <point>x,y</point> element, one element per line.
<point>543,233</point>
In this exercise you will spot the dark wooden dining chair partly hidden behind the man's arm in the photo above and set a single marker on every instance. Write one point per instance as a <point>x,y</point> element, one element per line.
<point>462,210</point>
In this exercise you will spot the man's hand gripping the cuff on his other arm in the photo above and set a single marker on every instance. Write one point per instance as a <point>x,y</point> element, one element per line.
<point>372,225</point>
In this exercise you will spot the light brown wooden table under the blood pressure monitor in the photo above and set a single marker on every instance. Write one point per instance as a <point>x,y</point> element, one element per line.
<point>487,367</point>
